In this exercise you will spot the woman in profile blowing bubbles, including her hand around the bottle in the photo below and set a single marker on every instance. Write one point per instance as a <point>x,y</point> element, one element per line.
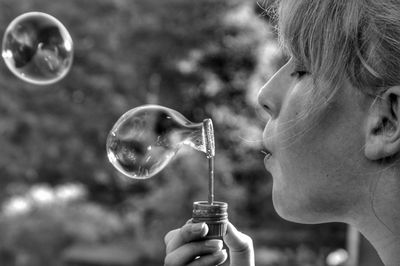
<point>333,137</point>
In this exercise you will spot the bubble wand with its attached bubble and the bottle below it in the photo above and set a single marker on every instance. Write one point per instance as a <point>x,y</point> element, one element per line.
<point>145,139</point>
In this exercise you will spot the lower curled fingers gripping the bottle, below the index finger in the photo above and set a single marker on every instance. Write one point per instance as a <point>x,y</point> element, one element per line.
<point>211,249</point>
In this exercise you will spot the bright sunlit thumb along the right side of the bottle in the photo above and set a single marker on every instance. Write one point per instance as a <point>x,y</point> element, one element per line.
<point>240,247</point>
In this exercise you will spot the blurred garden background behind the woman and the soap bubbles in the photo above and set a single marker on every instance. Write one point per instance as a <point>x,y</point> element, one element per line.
<point>62,202</point>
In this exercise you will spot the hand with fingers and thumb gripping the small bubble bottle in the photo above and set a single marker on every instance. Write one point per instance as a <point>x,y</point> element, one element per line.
<point>187,246</point>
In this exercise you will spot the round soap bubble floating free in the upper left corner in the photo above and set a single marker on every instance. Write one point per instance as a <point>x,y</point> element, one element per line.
<point>37,48</point>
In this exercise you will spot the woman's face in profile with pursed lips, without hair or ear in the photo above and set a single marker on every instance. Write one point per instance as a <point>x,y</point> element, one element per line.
<point>316,146</point>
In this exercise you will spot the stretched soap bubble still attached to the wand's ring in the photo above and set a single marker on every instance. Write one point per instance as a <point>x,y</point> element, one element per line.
<point>145,139</point>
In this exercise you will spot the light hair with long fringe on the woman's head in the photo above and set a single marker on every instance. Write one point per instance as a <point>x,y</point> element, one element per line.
<point>357,39</point>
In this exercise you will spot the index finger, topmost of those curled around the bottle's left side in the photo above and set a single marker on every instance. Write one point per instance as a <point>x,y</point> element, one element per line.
<point>188,233</point>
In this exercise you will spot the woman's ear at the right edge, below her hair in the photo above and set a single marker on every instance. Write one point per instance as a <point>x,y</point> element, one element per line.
<point>383,126</point>
